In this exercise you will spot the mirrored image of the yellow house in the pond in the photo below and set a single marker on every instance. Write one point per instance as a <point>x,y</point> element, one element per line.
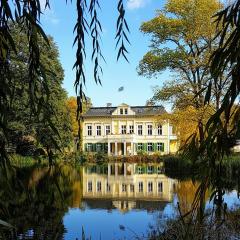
<point>126,186</point>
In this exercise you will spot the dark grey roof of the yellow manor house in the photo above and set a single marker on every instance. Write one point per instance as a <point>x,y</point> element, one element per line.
<point>139,111</point>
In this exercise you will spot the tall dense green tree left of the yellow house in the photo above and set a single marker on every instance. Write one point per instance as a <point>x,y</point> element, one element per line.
<point>56,131</point>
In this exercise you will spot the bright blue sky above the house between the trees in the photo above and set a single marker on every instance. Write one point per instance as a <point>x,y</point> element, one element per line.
<point>59,22</point>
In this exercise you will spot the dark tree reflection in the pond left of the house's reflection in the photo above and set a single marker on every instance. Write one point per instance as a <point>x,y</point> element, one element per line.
<point>37,209</point>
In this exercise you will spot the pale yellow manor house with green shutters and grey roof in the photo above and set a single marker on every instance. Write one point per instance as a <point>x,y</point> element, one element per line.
<point>127,130</point>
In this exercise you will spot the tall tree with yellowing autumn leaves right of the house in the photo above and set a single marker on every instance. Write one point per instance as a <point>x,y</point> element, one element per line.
<point>183,39</point>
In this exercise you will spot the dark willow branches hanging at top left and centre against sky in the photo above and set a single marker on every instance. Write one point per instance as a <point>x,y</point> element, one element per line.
<point>27,13</point>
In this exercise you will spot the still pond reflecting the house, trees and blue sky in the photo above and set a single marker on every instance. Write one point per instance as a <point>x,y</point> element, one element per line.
<point>108,201</point>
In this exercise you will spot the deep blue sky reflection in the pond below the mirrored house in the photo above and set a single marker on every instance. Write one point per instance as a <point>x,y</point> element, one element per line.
<point>105,223</point>
